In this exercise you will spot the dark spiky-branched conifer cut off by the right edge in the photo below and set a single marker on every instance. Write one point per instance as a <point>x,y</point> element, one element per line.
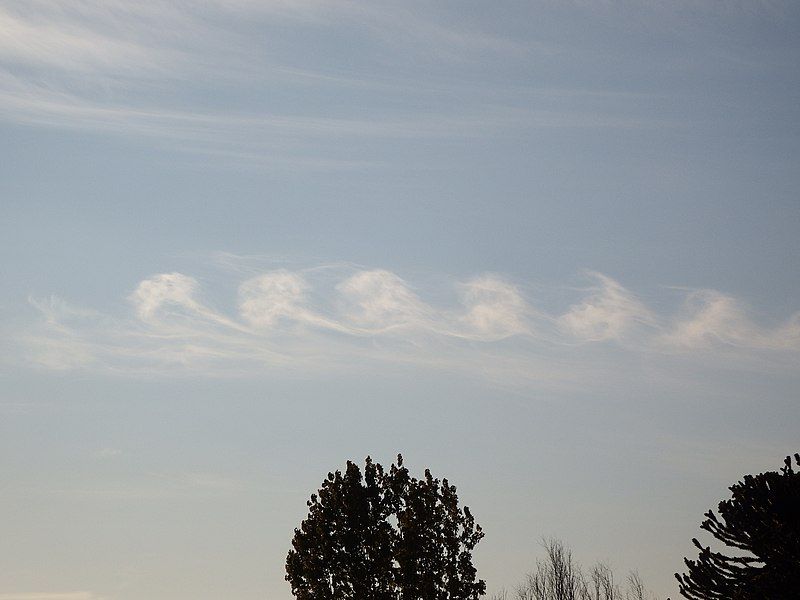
<point>761,521</point>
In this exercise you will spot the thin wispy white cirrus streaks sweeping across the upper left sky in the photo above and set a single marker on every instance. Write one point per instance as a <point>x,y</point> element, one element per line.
<point>151,70</point>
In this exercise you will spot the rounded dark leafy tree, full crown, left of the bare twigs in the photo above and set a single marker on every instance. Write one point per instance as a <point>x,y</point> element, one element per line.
<point>384,536</point>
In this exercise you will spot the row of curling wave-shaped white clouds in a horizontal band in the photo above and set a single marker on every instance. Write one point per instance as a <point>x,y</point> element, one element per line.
<point>296,319</point>
